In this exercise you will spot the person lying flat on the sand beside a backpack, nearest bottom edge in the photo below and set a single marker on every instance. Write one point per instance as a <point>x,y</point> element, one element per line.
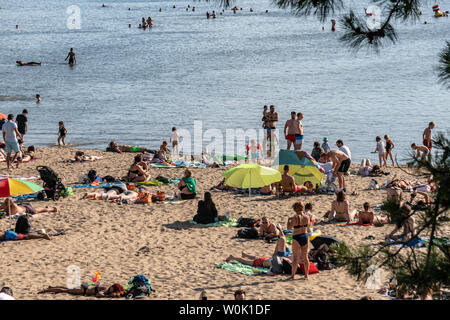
<point>116,290</point>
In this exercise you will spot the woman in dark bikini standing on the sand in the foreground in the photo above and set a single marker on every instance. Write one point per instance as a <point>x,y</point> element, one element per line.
<point>300,238</point>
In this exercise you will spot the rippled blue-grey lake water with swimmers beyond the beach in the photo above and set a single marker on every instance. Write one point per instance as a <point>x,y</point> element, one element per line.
<point>133,85</point>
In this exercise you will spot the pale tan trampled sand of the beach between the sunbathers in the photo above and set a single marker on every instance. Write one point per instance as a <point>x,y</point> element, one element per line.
<point>158,241</point>
